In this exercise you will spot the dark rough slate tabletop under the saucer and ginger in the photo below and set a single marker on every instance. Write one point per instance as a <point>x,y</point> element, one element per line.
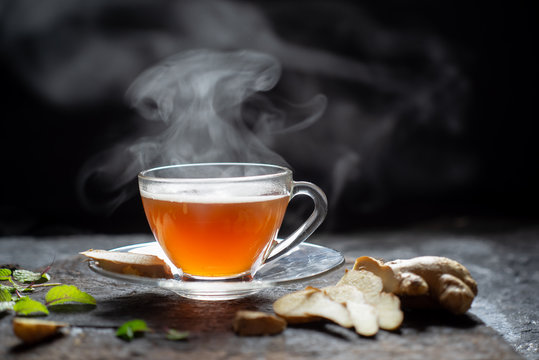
<point>502,323</point>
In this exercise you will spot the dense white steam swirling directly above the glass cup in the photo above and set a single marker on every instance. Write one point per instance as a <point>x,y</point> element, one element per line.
<point>196,99</point>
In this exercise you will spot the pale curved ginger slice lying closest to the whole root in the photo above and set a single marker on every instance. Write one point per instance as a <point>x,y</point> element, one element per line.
<point>387,306</point>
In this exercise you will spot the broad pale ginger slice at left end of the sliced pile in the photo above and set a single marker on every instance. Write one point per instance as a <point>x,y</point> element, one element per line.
<point>311,304</point>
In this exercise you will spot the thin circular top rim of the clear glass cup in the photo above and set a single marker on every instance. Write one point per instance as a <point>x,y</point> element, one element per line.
<point>283,171</point>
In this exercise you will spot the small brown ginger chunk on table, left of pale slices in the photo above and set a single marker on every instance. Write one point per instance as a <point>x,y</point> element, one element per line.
<point>251,323</point>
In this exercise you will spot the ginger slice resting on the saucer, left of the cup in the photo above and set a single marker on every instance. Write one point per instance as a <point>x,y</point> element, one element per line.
<point>130,263</point>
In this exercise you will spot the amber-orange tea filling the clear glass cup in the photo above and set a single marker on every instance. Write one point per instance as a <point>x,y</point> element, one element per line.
<point>215,238</point>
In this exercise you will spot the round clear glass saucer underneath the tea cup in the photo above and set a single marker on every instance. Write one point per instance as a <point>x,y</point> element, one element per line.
<point>304,262</point>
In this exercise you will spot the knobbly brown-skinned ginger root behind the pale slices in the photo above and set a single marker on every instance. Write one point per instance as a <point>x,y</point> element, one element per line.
<point>427,281</point>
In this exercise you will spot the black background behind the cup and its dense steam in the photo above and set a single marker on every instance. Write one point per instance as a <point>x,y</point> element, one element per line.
<point>441,121</point>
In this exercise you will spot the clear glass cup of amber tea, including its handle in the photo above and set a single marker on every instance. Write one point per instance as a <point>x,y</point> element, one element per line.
<point>219,221</point>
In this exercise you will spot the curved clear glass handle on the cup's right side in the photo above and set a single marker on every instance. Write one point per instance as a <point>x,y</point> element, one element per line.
<point>309,226</point>
